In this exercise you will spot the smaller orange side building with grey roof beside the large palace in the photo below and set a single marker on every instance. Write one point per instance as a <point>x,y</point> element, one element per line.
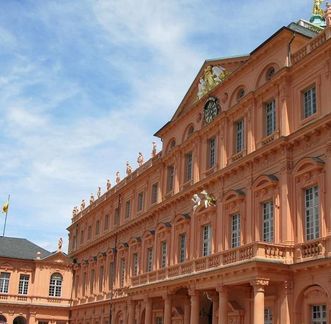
<point>35,284</point>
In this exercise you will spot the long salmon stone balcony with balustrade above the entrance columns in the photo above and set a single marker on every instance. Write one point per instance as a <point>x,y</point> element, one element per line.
<point>258,251</point>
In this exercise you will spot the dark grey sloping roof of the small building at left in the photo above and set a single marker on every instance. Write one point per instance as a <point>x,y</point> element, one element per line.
<point>18,248</point>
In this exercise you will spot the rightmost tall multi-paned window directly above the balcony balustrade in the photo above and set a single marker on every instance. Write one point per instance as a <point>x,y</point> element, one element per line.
<point>312,213</point>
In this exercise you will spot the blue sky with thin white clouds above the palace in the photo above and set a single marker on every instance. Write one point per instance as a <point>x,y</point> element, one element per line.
<point>85,84</point>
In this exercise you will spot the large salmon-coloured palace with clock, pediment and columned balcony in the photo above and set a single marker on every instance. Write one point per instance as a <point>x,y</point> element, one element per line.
<point>231,221</point>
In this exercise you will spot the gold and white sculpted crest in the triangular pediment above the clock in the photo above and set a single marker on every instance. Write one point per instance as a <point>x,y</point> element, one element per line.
<point>213,75</point>
